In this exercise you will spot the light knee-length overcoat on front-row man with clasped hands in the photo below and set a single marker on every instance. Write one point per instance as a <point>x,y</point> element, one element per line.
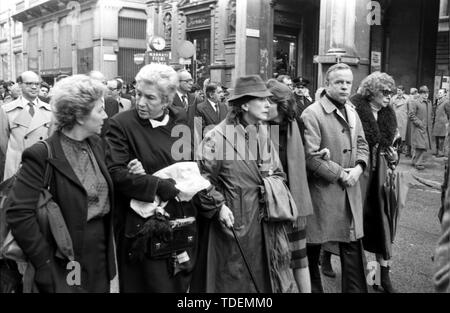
<point>325,127</point>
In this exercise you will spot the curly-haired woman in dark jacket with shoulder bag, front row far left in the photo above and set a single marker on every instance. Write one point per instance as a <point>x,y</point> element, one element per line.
<point>81,186</point>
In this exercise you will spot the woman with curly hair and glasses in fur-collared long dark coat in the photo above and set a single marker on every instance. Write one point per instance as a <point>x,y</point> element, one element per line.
<point>380,128</point>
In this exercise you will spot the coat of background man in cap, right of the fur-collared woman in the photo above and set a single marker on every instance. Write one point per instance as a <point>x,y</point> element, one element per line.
<point>420,115</point>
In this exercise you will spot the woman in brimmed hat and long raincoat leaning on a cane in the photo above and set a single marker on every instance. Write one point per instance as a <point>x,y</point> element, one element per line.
<point>236,203</point>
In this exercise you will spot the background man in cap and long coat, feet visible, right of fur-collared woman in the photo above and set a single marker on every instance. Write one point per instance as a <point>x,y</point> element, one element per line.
<point>420,115</point>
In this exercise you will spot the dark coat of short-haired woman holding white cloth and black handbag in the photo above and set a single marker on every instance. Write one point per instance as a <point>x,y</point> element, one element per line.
<point>131,137</point>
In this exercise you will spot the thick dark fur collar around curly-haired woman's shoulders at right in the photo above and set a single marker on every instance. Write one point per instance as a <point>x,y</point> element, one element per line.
<point>381,131</point>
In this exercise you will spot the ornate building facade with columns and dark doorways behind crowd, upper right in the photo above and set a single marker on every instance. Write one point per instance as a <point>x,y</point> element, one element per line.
<point>298,37</point>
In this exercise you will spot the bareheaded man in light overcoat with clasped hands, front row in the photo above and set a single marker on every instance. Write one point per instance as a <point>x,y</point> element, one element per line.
<point>332,122</point>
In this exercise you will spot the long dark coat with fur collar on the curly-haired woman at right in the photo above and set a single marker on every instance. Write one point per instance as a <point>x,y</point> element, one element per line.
<point>379,135</point>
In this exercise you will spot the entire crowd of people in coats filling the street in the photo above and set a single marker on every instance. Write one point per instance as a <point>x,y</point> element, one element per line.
<point>293,179</point>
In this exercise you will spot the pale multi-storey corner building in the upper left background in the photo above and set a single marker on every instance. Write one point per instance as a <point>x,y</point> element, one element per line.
<point>75,37</point>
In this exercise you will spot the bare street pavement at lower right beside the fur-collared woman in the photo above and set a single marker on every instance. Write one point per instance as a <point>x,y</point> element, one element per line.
<point>417,233</point>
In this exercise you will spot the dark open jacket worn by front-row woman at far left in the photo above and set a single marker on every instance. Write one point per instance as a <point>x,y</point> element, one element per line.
<point>70,195</point>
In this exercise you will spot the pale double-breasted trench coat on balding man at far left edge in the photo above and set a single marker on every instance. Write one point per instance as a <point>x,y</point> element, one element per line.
<point>19,130</point>
